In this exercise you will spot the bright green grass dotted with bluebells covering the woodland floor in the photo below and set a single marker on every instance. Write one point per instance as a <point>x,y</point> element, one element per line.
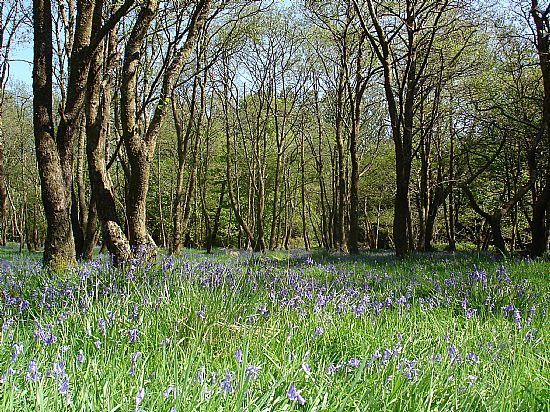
<point>234,331</point>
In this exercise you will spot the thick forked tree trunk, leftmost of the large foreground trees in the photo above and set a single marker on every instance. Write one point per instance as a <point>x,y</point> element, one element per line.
<point>55,148</point>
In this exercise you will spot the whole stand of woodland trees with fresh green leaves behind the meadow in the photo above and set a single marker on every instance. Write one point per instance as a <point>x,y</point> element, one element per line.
<point>345,124</point>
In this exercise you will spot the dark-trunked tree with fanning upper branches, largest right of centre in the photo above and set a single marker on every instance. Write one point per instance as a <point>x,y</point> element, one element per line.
<point>402,38</point>
